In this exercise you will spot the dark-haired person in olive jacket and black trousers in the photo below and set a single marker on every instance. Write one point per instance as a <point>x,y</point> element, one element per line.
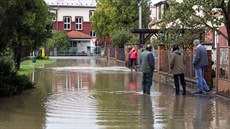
<point>177,65</point>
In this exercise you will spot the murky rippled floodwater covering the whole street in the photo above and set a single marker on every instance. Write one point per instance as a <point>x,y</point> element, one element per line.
<point>90,93</point>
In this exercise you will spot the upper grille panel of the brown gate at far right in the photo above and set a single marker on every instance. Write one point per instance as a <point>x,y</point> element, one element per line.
<point>223,68</point>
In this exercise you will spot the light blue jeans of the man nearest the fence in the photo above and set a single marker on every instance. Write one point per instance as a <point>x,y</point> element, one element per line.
<point>201,83</point>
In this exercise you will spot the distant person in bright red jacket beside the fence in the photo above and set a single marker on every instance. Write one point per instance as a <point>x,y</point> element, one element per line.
<point>133,58</point>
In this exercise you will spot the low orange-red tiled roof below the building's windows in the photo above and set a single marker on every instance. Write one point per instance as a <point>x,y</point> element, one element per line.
<point>78,35</point>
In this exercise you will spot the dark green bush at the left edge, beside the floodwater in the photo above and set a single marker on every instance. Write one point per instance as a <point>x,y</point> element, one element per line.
<point>12,83</point>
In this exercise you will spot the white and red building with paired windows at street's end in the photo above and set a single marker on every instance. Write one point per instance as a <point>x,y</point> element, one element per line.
<point>73,17</point>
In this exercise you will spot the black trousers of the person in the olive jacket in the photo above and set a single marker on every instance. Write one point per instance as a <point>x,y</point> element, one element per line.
<point>177,85</point>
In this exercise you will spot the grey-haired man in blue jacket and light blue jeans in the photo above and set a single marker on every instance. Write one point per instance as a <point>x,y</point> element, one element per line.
<point>200,62</point>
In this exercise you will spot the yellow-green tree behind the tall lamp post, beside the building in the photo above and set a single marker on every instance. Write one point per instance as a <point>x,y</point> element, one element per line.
<point>113,15</point>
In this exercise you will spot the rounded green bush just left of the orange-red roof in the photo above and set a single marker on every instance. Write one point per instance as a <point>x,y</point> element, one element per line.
<point>58,40</point>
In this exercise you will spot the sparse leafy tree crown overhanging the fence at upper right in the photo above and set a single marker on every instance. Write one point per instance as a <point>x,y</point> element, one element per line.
<point>198,16</point>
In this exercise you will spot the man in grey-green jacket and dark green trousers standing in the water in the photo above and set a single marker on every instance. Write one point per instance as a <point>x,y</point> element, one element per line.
<point>147,67</point>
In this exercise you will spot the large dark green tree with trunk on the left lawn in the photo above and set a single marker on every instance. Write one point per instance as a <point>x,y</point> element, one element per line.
<point>27,25</point>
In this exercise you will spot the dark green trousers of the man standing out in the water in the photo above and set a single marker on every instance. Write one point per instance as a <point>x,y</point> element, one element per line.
<point>147,82</point>
